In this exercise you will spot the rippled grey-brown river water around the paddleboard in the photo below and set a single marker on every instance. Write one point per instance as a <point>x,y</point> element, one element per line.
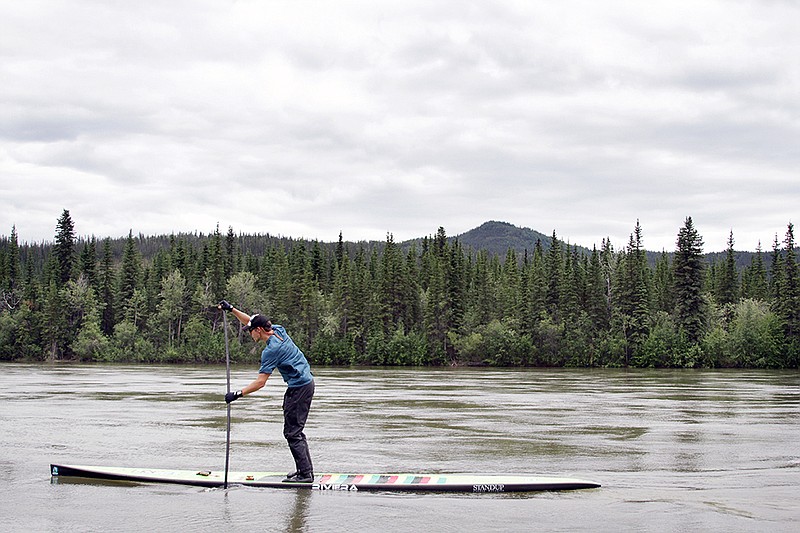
<point>673,450</point>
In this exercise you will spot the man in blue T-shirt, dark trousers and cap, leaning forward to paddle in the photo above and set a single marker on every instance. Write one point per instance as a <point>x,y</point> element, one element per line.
<point>281,352</point>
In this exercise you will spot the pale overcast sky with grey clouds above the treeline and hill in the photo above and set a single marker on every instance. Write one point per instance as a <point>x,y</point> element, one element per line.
<point>305,119</point>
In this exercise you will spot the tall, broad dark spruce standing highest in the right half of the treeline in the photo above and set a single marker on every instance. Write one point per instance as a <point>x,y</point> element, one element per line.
<point>688,267</point>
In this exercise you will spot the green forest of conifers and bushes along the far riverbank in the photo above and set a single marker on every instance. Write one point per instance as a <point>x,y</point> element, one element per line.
<point>430,302</point>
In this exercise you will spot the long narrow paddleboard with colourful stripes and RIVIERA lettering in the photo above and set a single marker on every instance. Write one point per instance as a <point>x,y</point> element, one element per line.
<point>343,482</point>
